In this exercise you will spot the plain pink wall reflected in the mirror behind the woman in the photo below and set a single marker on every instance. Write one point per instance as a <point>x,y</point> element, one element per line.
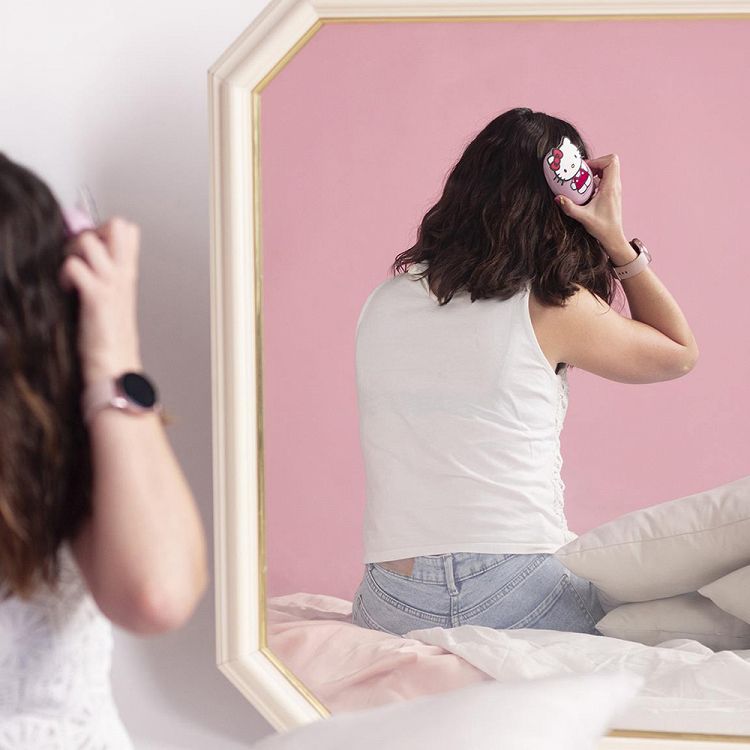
<point>358,134</point>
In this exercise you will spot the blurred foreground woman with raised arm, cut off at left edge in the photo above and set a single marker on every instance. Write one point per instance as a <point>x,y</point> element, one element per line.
<point>97,522</point>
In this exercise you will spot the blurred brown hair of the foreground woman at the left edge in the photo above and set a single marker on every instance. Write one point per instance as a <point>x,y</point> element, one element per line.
<point>45,465</point>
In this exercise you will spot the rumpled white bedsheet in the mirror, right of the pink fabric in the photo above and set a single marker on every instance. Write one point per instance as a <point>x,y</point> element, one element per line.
<point>688,687</point>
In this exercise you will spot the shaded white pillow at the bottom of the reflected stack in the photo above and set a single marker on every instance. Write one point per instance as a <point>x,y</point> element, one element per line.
<point>684,616</point>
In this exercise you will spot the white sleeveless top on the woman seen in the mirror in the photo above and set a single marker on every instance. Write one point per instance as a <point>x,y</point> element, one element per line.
<point>460,415</point>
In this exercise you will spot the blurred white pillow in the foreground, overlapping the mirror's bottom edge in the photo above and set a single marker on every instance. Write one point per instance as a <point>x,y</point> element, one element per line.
<point>567,713</point>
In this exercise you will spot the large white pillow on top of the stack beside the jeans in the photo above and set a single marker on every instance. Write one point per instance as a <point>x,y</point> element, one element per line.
<point>667,549</point>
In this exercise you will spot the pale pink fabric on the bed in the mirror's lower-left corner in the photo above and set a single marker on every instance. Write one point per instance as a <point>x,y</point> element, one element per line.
<point>348,667</point>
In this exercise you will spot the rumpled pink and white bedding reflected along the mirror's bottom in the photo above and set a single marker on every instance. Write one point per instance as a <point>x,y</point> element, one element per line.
<point>688,687</point>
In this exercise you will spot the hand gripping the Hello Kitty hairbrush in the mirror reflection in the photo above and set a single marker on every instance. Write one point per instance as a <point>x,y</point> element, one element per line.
<point>602,215</point>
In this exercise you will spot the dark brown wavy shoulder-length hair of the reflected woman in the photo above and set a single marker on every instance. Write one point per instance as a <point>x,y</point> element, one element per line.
<point>496,225</point>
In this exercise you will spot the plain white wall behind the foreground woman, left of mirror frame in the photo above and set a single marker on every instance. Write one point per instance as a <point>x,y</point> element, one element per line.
<point>114,94</point>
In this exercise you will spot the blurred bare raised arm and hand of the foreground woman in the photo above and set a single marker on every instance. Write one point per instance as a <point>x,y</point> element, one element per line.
<point>142,552</point>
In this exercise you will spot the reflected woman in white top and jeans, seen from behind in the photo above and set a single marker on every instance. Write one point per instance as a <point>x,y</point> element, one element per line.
<point>462,367</point>
